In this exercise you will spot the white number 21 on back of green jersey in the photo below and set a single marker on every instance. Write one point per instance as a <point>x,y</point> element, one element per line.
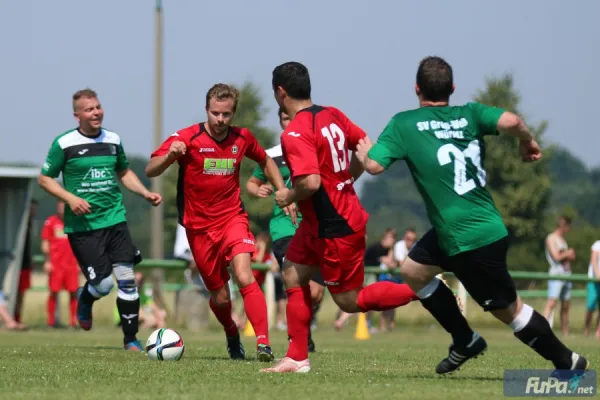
<point>463,185</point>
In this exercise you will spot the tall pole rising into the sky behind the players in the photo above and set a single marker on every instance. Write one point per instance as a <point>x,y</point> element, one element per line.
<point>157,183</point>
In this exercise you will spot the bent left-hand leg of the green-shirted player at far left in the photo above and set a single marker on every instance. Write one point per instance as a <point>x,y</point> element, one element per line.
<point>89,250</point>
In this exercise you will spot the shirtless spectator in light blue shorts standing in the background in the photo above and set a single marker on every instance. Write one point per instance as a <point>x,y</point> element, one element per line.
<point>559,256</point>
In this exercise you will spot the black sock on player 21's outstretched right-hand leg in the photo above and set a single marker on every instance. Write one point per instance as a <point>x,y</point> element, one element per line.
<point>538,335</point>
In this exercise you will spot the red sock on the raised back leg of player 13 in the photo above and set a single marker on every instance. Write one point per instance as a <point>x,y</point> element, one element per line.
<point>382,296</point>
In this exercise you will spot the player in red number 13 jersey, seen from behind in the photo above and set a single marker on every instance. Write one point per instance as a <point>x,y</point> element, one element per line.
<point>331,235</point>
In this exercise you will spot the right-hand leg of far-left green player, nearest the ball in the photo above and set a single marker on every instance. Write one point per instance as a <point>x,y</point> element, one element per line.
<point>121,252</point>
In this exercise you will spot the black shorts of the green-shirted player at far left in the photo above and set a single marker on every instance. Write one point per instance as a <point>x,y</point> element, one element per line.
<point>97,251</point>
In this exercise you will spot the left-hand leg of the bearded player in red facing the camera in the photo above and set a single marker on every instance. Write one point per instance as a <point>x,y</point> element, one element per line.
<point>205,248</point>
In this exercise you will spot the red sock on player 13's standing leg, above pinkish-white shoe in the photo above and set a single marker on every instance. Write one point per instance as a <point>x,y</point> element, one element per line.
<point>298,312</point>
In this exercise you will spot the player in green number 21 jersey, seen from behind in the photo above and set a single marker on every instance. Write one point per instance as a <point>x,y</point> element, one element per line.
<point>443,147</point>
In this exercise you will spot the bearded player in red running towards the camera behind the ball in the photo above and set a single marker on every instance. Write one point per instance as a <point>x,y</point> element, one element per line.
<point>211,210</point>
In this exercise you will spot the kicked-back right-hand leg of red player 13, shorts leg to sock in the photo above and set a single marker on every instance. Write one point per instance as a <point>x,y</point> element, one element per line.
<point>342,267</point>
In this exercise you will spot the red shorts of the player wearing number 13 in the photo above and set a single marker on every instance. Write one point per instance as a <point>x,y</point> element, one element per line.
<point>342,260</point>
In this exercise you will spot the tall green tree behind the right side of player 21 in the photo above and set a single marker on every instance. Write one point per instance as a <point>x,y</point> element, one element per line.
<point>520,190</point>
